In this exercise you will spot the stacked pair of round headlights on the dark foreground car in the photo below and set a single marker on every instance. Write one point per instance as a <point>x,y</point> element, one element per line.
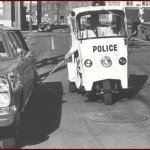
<point>4,93</point>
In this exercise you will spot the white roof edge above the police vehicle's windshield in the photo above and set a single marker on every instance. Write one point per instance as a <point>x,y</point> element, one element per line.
<point>96,8</point>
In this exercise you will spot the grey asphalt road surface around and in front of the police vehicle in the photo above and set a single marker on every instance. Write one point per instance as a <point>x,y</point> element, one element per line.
<point>56,118</point>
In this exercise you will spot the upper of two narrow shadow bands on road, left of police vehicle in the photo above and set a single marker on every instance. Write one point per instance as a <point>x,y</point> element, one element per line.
<point>49,61</point>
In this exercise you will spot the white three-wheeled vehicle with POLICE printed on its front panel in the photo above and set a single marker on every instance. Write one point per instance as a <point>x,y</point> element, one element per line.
<point>99,63</point>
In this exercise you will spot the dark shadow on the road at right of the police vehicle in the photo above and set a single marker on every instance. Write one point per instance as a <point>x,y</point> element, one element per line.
<point>136,83</point>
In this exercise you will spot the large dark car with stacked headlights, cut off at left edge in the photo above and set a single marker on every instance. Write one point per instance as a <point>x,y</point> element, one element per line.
<point>17,79</point>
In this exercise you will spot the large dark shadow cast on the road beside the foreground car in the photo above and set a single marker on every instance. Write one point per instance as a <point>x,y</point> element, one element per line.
<point>42,114</point>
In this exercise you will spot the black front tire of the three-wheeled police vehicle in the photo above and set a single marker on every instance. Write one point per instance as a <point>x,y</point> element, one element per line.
<point>108,100</point>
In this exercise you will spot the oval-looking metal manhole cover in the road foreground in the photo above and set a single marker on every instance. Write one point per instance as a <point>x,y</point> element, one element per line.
<point>117,117</point>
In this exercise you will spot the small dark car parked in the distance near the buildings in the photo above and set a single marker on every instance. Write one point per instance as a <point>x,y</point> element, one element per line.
<point>45,26</point>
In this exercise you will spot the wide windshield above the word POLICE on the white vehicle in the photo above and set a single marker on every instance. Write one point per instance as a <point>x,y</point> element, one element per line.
<point>103,23</point>
